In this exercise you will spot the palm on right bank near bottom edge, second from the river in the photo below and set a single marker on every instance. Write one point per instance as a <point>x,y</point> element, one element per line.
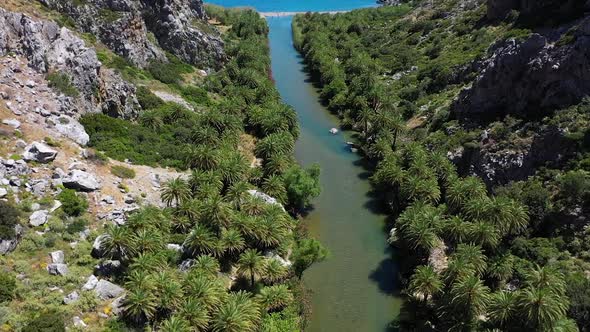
<point>470,296</point>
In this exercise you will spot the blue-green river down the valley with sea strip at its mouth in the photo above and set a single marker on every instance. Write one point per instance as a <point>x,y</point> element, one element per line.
<point>354,289</point>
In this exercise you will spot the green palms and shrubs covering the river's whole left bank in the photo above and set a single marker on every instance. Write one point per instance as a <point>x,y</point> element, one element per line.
<point>233,242</point>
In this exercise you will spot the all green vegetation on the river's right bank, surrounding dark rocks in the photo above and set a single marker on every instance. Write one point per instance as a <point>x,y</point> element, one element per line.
<point>475,256</point>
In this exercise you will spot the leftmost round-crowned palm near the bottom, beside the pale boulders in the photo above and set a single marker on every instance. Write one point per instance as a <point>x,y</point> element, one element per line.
<point>140,304</point>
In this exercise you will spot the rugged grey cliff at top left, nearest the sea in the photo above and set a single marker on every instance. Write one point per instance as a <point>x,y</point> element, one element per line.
<point>139,30</point>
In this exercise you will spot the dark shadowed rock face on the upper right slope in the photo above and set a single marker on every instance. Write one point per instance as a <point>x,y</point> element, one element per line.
<point>529,78</point>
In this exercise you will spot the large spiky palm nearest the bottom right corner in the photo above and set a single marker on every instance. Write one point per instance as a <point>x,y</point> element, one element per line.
<point>541,307</point>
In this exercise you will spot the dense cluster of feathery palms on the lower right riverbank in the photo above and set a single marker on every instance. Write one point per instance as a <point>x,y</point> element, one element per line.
<point>480,285</point>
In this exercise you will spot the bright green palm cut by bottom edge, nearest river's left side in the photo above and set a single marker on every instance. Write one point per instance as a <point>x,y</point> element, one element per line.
<point>238,314</point>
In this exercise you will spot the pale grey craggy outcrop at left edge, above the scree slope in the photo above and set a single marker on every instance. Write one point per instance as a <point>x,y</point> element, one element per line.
<point>49,48</point>
